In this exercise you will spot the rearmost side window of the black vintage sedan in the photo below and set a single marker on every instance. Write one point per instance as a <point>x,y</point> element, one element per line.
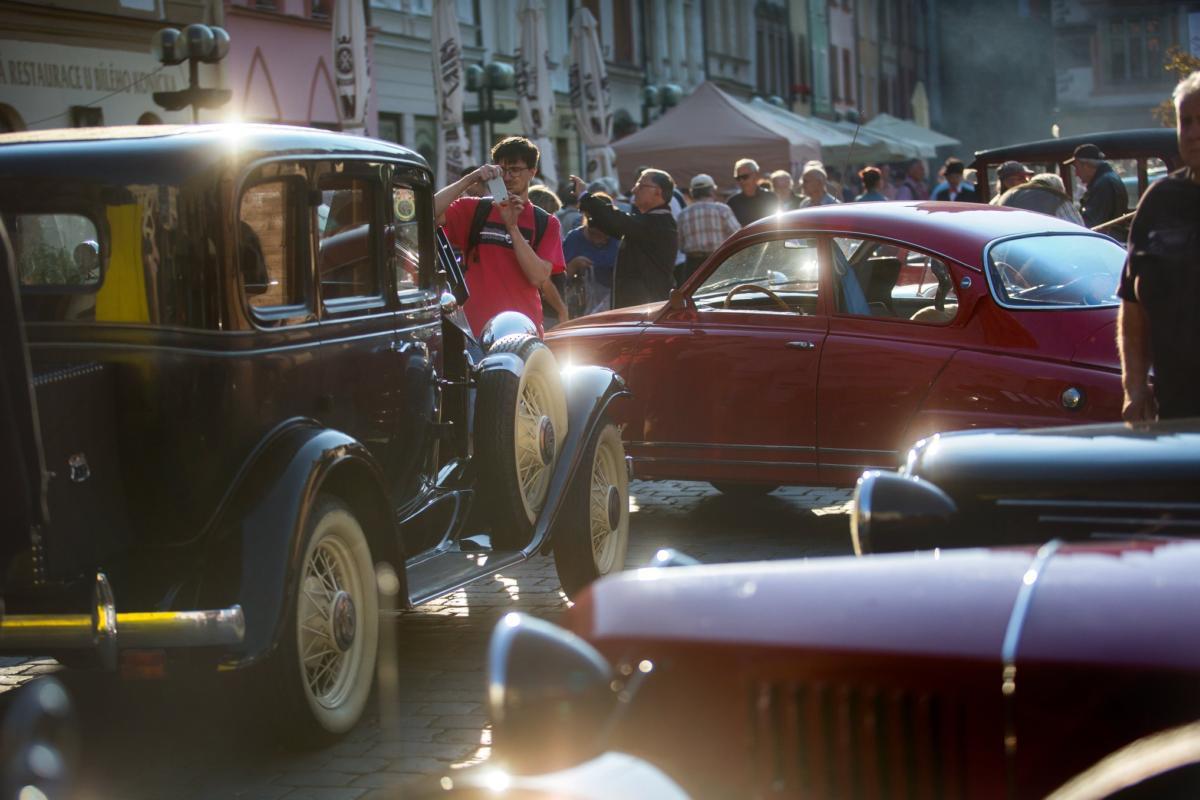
<point>272,251</point>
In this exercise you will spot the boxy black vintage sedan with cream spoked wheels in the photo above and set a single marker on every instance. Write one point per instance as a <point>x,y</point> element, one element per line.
<point>260,400</point>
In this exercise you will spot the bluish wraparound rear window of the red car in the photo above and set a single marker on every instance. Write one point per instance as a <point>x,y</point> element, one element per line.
<point>1045,272</point>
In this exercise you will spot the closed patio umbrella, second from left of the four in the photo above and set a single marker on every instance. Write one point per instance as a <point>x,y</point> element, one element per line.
<point>448,86</point>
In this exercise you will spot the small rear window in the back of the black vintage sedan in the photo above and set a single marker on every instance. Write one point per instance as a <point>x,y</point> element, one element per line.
<point>56,250</point>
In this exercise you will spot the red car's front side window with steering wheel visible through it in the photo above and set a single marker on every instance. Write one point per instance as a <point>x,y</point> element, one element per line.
<point>789,269</point>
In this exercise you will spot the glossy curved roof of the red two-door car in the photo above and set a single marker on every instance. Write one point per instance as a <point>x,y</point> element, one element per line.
<point>958,231</point>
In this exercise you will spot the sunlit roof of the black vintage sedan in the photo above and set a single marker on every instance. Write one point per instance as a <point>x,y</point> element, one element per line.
<point>244,142</point>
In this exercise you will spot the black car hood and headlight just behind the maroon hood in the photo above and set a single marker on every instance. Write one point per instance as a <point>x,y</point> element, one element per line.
<point>1025,488</point>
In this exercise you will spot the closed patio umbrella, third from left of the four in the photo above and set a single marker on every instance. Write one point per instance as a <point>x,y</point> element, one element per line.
<point>536,97</point>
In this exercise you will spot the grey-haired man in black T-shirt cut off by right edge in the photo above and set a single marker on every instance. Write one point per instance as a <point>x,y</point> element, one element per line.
<point>1159,326</point>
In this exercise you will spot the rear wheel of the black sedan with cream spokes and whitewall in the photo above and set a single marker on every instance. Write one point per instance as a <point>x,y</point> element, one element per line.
<point>315,696</point>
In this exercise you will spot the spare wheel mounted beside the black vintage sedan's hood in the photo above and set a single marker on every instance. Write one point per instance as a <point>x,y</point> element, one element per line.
<point>520,424</point>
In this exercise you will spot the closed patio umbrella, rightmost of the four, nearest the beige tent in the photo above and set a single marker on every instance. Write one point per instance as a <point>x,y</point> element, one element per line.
<point>591,99</point>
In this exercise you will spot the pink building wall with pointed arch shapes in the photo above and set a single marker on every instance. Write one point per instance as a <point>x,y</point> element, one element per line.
<point>280,65</point>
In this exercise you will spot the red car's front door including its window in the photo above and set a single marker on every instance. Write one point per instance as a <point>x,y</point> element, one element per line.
<point>730,381</point>
